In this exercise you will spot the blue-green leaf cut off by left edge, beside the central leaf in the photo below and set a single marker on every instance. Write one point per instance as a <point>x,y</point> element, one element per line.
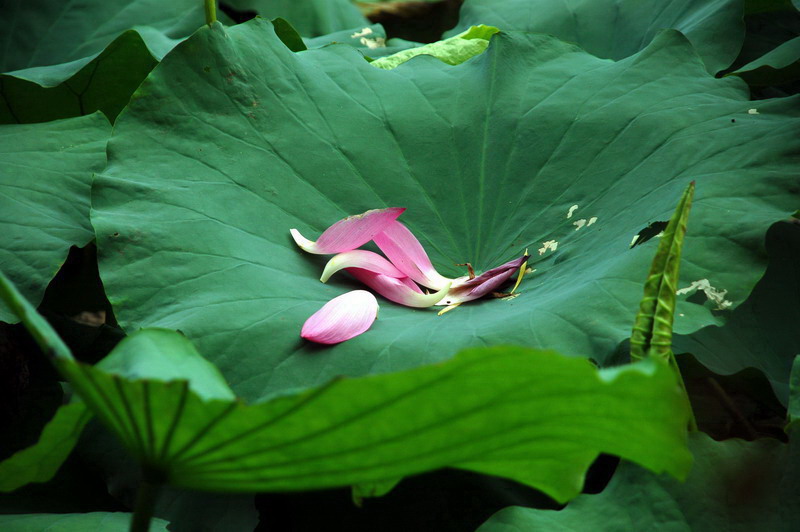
<point>45,179</point>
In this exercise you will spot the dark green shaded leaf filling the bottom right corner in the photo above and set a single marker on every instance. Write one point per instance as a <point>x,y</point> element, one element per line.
<point>734,485</point>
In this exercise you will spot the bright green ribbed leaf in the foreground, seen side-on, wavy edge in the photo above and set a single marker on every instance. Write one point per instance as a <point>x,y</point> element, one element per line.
<point>533,416</point>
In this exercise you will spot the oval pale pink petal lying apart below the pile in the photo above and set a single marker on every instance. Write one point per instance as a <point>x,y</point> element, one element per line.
<point>341,318</point>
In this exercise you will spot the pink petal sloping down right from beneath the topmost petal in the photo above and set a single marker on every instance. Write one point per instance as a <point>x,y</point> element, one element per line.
<point>404,250</point>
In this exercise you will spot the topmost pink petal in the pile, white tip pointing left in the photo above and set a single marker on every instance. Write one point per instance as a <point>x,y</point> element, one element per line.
<point>350,233</point>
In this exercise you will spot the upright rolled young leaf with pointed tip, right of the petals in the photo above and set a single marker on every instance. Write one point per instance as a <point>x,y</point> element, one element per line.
<point>652,331</point>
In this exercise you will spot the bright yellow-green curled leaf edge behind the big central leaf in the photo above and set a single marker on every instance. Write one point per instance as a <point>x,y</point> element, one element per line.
<point>452,51</point>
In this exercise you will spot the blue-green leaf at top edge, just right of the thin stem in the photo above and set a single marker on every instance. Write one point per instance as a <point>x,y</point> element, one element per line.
<point>310,17</point>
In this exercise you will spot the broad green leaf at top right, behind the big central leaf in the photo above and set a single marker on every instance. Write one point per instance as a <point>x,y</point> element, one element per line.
<point>616,29</point>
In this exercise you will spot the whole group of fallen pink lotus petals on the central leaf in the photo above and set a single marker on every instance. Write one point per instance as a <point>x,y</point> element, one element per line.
<point>396,279</point>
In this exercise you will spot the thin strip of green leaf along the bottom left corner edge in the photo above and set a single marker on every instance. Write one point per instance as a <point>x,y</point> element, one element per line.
<point>105,521</point>
